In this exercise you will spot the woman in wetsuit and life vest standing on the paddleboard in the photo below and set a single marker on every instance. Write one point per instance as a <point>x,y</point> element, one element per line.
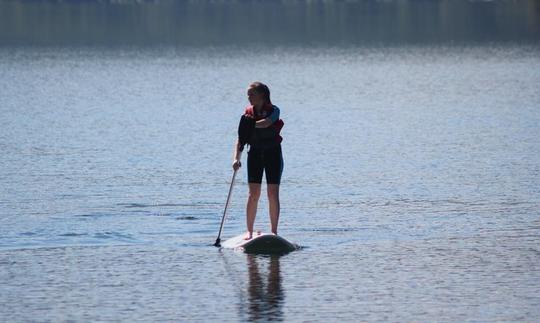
<point>264,154</point>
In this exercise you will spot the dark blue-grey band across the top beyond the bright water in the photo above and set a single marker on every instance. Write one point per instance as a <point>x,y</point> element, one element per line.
<point>218,23</point>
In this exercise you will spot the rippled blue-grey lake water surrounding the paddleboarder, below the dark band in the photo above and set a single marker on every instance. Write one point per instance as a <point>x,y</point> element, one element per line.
<point>411,181</point>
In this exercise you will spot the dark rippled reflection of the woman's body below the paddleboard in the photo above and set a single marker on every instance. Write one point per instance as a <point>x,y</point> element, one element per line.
<point>265,294</point>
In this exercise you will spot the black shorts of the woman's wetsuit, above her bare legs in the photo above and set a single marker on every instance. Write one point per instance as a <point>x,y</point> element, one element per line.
<point>269,160</point>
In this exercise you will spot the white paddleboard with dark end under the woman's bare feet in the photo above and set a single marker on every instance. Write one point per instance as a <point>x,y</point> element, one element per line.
<point>261,243</point>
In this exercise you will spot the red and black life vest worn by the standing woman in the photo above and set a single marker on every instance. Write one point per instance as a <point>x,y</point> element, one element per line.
<point>265,137</point>
